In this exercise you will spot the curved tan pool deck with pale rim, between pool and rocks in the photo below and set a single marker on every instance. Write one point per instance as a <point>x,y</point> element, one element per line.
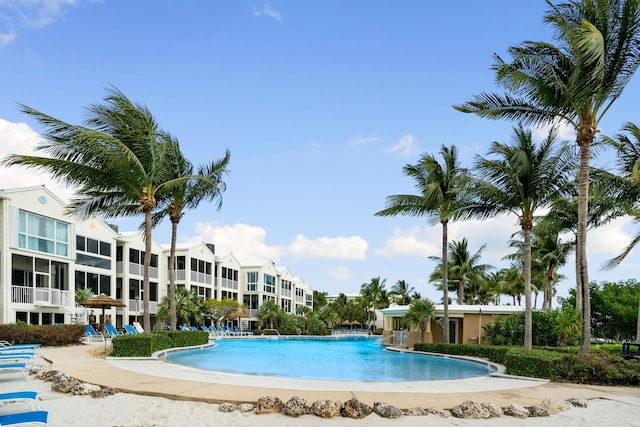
<point>158,378</point>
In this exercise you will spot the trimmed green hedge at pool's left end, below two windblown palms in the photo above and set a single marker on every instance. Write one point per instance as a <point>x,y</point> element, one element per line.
<point>144,345</point>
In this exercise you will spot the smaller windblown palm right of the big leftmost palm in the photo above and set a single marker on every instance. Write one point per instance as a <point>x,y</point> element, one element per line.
<point>206,186</point>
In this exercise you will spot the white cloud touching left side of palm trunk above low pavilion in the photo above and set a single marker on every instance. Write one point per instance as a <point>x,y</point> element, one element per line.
<point>419,241</point>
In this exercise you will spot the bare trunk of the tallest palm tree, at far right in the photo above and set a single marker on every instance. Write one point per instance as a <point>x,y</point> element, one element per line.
<point>581,243</point>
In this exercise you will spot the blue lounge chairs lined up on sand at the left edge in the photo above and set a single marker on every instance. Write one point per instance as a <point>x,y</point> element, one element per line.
<point>14,357</point>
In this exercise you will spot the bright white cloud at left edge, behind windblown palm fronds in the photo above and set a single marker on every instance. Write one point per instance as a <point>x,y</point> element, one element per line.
<point>19,138</point>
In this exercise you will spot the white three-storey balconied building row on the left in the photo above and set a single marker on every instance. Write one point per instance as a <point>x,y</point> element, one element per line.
<point>46,255</point>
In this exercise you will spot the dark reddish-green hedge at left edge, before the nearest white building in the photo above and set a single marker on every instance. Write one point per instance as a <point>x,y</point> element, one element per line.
<point>46,335</point>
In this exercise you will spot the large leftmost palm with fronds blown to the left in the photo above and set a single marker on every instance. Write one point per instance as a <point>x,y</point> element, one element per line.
<point>117,162</point>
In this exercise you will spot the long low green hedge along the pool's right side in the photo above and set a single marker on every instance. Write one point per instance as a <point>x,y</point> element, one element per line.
<point>603,366</point>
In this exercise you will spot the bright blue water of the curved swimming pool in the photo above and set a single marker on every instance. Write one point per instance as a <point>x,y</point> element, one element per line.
<point>326,358</point>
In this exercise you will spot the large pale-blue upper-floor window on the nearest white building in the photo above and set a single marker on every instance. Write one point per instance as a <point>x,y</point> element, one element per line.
<point>41,234</point>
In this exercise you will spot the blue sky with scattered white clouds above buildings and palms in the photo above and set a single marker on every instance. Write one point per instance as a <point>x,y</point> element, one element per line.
<point>320,102</point>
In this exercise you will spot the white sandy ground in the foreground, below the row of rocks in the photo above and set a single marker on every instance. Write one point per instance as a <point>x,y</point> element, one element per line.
<point>129,410</point>
